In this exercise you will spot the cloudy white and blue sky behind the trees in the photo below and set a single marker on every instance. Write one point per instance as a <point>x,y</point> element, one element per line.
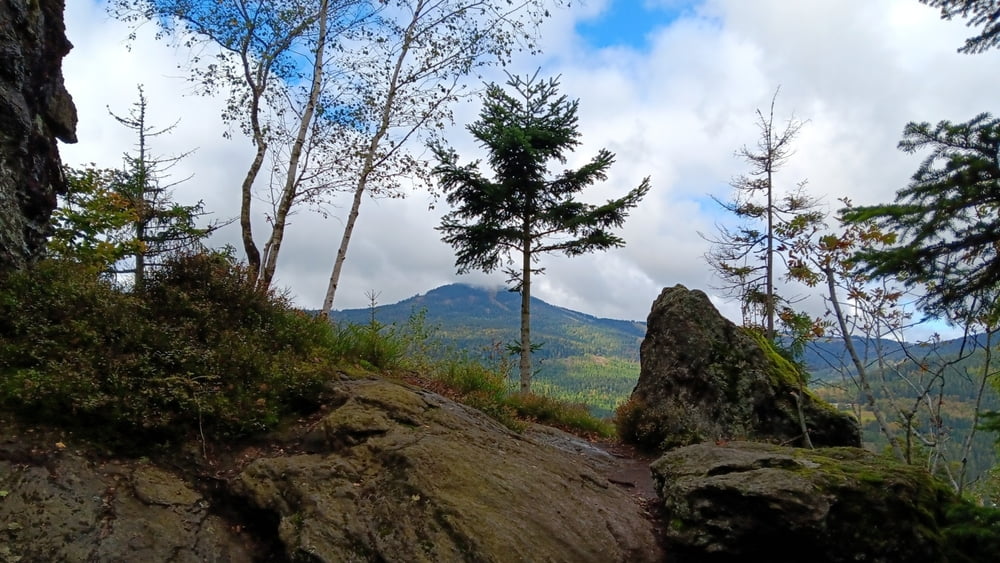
<point>670,86</point>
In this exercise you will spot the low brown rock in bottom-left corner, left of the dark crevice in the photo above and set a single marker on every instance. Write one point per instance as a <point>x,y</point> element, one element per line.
<point>60,506</point>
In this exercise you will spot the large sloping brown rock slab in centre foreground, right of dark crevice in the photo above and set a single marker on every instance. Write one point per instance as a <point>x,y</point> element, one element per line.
<point>401,474</point>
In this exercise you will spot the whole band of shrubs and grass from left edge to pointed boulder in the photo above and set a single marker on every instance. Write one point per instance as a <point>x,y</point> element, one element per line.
<point>198,352</point>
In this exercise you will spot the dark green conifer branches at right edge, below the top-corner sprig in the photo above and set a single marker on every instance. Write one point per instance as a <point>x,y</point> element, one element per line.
<point>947,218</point>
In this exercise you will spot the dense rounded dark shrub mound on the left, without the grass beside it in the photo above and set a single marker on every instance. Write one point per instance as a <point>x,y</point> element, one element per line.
<point>196,350</point>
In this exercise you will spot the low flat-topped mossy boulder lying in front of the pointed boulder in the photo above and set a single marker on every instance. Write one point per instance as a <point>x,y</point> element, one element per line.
<point>760,502</point>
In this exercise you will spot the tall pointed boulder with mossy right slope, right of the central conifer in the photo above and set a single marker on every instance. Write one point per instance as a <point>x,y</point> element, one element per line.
<point>702,378</point>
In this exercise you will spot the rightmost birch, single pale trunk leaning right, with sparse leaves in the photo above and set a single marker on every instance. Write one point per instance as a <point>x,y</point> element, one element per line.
<point>406,77</point>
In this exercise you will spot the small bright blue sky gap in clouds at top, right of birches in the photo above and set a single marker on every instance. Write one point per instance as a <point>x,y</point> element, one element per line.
<point>631,23</point>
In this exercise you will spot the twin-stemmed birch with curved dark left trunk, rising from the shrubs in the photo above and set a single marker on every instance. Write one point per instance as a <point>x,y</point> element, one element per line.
<point>270,60</point>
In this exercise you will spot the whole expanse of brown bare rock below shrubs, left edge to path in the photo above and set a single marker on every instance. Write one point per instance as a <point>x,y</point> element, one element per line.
<point>388,473</point>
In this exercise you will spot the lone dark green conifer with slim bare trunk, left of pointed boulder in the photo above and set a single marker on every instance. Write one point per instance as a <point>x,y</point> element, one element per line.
<point>509,221</point>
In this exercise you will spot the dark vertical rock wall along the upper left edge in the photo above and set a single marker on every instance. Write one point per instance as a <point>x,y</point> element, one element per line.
<point>35,110</point>
